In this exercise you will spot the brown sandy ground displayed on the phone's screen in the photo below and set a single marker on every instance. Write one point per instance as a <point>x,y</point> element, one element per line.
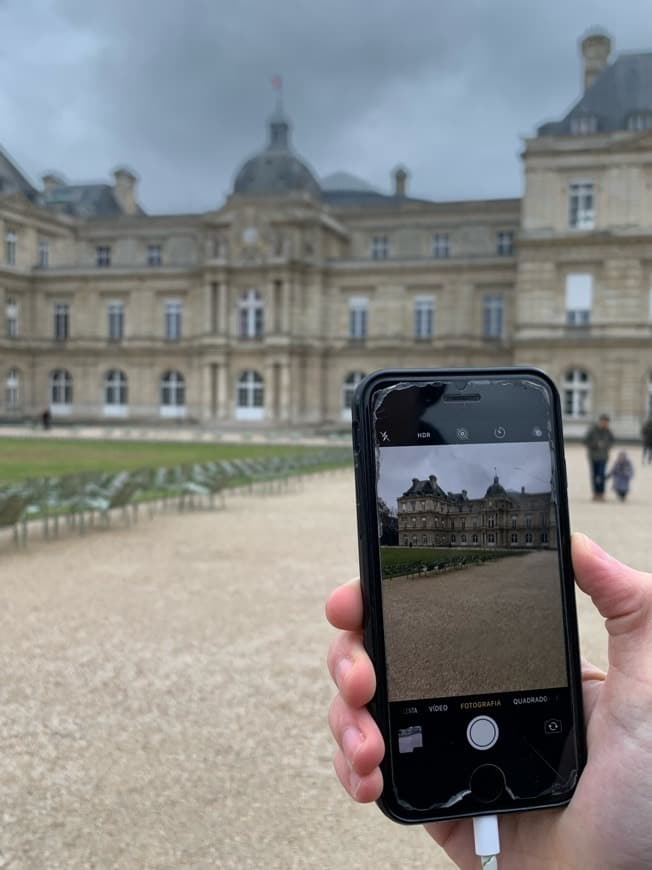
<point>511,637</point>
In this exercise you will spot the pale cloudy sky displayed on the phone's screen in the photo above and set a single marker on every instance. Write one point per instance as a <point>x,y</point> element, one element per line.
<point>469,466</point>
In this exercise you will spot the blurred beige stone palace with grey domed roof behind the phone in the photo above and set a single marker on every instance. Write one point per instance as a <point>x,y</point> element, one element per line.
<point>272,307</point>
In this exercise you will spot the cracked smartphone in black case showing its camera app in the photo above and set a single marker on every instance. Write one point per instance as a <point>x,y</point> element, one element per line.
<point>468,590</point>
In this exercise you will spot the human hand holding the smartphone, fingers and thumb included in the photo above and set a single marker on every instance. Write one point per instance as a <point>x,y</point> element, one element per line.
<point>606,824</point>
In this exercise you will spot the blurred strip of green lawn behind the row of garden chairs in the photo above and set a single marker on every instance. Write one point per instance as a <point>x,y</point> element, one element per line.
<point>23,458</point>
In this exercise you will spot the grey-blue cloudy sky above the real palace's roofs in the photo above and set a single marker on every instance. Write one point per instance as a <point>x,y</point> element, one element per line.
<point>180,90</point>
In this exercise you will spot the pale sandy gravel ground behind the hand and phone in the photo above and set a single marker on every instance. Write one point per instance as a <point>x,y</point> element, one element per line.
<point>163,691</point>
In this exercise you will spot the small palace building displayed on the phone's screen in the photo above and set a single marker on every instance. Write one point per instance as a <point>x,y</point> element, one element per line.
<point>430,517</point>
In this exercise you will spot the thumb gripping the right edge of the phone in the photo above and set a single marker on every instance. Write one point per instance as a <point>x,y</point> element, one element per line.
<point>621,594</point>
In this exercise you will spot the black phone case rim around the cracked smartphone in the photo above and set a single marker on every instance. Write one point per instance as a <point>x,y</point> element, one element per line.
<point>364,462</point>
